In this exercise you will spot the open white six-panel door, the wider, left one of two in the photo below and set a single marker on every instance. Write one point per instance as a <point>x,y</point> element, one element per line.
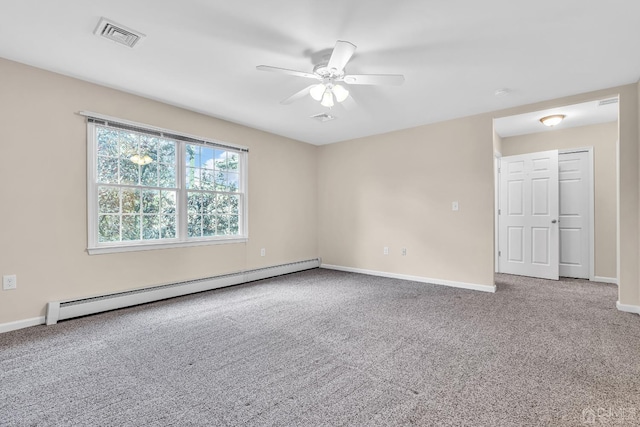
<point>528,215</point>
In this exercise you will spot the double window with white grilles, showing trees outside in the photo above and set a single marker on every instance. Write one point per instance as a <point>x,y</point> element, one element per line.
<point>151,188</point>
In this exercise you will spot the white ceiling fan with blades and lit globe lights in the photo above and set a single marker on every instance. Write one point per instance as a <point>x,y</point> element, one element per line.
<point>330,74</point>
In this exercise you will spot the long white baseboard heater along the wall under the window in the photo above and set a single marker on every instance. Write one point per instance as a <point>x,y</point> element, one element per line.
<point>62,310</point>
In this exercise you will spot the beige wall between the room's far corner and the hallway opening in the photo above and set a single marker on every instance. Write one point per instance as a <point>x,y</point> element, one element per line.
<point>396,190</point>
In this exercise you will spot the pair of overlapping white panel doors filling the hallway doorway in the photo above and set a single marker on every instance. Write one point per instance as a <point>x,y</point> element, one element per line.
<point>545,207</point>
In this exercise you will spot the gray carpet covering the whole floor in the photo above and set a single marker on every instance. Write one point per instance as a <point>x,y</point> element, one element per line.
<point>330,348</point>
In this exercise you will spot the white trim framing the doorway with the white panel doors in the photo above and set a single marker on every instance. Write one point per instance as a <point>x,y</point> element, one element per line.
<point>496,165</point>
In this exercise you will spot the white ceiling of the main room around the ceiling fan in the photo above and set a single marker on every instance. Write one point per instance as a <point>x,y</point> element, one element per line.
<point>202,54</point>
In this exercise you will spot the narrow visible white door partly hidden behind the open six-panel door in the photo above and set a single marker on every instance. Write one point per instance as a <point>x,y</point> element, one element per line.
<point>574,214</point>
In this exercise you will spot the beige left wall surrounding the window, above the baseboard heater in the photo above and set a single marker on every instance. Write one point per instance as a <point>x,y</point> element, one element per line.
<point>43,228</point>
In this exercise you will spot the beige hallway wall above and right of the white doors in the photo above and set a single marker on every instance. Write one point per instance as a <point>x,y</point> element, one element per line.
<point>603,138</point>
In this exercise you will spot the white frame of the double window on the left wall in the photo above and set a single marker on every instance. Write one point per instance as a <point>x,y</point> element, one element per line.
<point>182,240</point>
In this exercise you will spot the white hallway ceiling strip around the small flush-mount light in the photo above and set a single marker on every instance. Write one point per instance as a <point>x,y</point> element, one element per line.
<point>583,114</point>
